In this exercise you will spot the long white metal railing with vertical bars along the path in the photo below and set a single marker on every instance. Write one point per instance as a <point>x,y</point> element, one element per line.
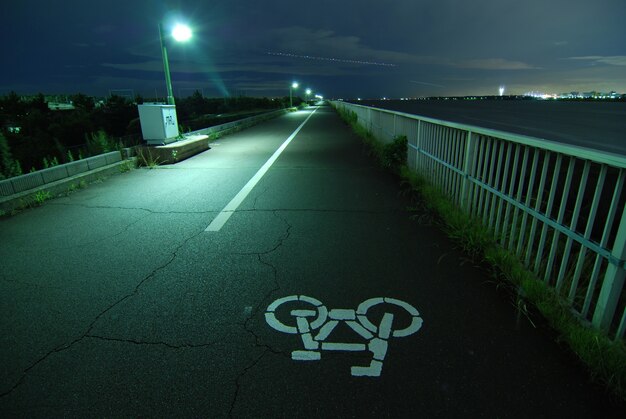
<point>561,209</point>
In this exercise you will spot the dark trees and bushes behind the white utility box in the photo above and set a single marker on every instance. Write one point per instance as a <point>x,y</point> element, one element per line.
<point>33,137</point>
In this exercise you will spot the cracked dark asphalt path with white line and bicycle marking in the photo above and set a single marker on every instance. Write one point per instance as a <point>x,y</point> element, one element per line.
<point>320,295</point>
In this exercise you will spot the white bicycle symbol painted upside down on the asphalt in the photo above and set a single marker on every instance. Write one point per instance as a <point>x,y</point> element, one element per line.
<point>319,317</point>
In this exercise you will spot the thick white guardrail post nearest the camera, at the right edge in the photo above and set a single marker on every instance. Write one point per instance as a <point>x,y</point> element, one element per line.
<point>613,281</point>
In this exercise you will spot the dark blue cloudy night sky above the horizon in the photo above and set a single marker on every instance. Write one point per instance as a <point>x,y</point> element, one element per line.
<point>339,48</point>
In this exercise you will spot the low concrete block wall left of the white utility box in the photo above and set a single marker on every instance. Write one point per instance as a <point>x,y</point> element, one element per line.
<point>33,180</point>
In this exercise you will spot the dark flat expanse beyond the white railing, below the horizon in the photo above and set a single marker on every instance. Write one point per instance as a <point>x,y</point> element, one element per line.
<point>596,125</point>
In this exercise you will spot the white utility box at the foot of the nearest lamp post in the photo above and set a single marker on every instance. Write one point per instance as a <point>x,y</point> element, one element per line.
<point>158,123</point>
